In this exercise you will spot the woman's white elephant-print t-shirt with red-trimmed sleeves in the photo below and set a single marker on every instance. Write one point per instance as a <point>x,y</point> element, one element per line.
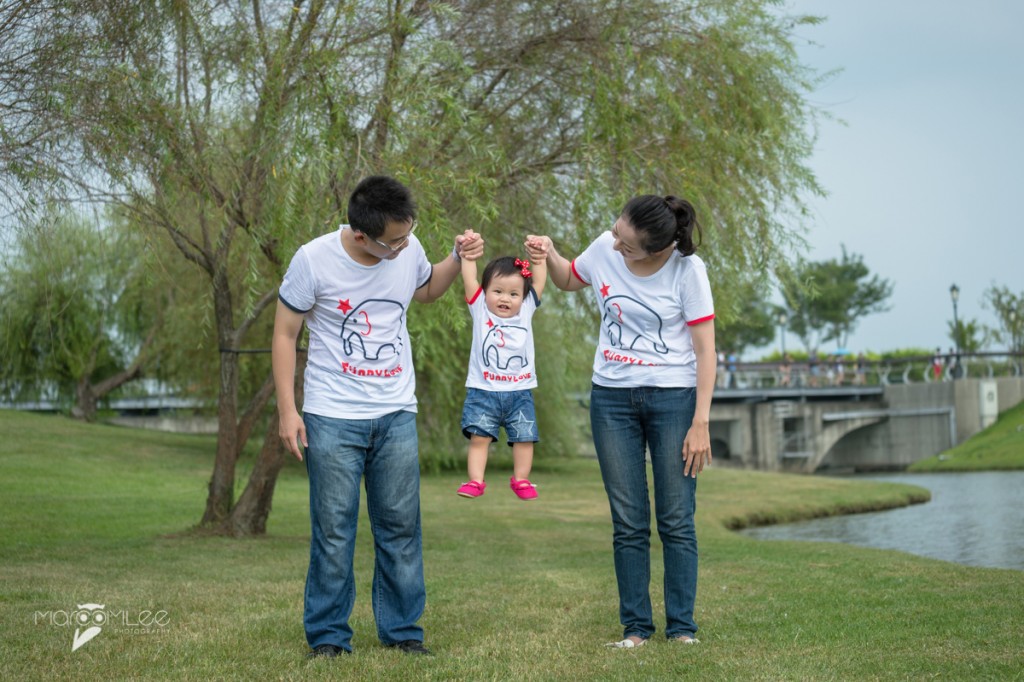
<point>646,338</point>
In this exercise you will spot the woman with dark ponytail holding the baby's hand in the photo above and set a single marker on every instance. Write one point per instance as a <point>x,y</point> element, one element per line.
<point>654,377</point>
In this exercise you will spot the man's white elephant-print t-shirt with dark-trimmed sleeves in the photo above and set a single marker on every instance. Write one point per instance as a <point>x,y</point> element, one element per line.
<point>360,363</point>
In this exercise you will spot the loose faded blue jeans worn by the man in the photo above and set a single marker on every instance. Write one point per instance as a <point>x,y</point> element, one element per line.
<point>342,453</point>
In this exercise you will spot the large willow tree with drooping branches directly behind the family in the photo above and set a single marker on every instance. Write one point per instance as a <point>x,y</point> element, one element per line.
<point>255,119</point>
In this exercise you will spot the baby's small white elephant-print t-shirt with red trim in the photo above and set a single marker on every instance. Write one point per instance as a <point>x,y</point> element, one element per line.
<point>502,356</point>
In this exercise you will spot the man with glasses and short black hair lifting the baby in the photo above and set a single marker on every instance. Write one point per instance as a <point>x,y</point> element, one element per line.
<point>353,289</point>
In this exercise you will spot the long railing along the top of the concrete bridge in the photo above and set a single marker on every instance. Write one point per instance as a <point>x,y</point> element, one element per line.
<point>828,372</point>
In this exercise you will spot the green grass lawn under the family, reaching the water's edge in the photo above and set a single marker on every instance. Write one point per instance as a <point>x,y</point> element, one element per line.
<point>100,515</point>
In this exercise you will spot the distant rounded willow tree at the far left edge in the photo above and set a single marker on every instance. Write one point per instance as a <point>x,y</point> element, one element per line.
<point>79,313</point>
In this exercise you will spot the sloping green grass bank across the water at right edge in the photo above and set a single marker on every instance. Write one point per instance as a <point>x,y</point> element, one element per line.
<point>1001,447</point>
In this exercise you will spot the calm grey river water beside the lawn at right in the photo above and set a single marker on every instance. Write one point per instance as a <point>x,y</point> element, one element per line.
<point>973,519</point>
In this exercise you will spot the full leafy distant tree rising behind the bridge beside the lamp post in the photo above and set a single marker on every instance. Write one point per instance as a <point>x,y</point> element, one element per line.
<point>828,299</point>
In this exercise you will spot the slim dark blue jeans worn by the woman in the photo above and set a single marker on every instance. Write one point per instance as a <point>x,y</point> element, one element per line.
<point>625,423</point>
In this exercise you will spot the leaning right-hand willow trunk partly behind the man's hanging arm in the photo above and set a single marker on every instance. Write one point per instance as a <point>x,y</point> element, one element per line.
<point>250,515</point>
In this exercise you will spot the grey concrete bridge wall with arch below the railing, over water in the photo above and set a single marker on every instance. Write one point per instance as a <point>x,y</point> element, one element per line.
<point>863,429</point>
